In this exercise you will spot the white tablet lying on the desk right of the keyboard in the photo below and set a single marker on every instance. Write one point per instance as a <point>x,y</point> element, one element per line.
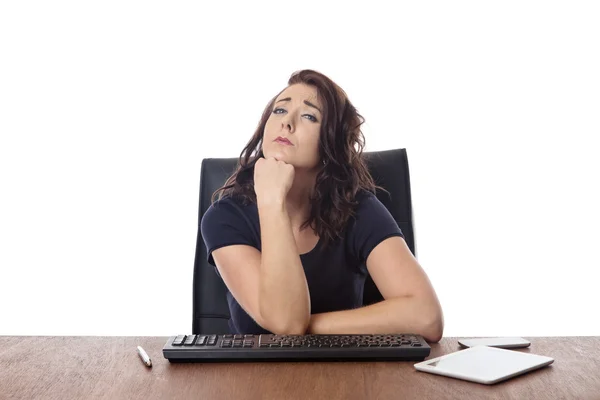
<point>484,364</point>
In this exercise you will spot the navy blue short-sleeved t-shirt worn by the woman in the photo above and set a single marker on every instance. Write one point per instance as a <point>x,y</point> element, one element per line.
<point>335,275</point>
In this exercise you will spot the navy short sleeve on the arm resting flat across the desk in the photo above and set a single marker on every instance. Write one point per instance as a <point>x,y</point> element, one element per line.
<point>373,224</point>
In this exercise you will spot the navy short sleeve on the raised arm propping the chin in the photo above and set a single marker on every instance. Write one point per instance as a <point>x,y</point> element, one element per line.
<point>223,224</point>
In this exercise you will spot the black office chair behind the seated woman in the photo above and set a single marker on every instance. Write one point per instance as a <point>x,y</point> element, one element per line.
<point>210,310</point>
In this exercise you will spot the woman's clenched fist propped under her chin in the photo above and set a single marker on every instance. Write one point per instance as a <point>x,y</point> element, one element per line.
<point>272,180</point>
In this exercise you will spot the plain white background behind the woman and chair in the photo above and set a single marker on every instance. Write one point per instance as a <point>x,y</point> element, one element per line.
<point>108,108</point>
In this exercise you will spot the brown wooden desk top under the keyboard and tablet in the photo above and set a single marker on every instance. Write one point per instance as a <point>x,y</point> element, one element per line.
<point>109,367</point>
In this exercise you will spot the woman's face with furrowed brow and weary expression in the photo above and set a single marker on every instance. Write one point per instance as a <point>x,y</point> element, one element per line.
<point>292,130</point>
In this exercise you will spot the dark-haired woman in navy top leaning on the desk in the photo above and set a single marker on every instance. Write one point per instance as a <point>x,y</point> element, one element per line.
<point>295,230</point>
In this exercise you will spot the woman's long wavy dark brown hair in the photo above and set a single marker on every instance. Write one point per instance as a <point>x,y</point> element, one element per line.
<point>344,172</point>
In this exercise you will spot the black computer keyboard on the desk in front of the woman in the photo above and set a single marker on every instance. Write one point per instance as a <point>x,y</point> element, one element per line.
<point>269,347</point>
